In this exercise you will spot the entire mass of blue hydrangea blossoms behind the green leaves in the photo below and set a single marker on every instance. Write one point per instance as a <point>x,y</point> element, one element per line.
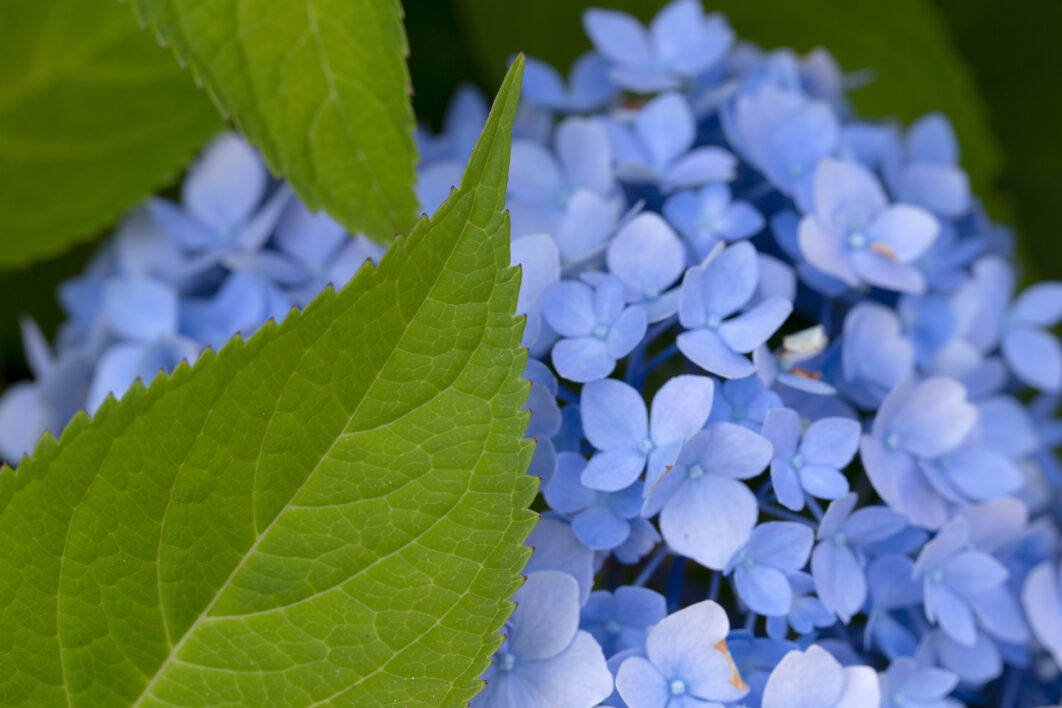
<point>795,424</point>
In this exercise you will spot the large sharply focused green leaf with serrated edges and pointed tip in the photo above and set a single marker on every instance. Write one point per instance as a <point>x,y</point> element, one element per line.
<point>330,513</point>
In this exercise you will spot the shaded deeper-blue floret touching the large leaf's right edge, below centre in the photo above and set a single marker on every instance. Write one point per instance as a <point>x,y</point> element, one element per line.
<point>601,520</point>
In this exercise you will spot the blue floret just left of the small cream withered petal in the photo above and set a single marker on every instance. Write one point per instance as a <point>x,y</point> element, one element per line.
<point>717,338</point>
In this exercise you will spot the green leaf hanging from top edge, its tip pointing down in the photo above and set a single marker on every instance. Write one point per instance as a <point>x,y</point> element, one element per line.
<point>320,87</point>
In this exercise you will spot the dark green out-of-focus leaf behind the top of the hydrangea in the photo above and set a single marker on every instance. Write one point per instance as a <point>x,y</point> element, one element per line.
<point>915,66</point>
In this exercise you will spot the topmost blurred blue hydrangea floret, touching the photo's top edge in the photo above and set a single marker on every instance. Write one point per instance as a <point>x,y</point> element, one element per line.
<point>681,44</point>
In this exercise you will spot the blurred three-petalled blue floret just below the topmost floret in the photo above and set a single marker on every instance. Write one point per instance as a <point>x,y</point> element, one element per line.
<point>659,148</point>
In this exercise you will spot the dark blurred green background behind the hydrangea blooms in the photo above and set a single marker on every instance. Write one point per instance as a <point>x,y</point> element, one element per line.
<point>1009,74</point>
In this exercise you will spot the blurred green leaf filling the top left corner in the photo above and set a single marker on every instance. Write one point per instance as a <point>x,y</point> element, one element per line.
<point>93,118</point>
